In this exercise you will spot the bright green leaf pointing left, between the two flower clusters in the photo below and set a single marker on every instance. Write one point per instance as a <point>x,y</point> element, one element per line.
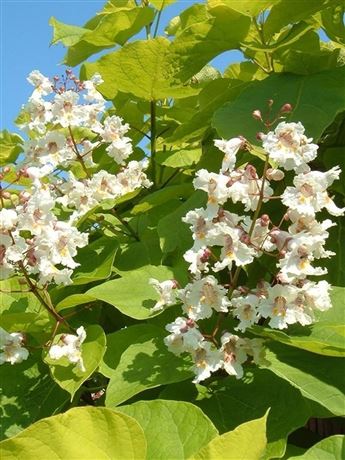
<point>132,294</point>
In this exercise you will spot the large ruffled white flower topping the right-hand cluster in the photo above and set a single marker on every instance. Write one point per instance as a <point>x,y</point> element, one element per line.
<point>289,147</point>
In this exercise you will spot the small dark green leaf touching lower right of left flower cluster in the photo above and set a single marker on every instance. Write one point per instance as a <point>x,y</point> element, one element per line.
<point>96,261</point>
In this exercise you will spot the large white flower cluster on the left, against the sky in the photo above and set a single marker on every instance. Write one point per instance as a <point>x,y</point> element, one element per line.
<point>32,238</point>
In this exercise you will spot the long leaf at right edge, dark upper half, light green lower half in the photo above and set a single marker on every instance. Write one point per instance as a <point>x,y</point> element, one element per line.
<point>319,378</point>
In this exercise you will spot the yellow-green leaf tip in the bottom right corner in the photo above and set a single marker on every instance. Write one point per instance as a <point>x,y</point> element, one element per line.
<point>331,448</point>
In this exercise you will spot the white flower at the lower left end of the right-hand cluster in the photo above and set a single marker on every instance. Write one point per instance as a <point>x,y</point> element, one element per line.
<point>184,337</point>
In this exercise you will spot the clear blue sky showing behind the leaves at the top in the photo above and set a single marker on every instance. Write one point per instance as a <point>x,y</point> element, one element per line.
<point>25,38</point>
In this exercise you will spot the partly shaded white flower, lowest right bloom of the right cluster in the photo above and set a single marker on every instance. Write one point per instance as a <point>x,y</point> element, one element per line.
<point>233,354</point>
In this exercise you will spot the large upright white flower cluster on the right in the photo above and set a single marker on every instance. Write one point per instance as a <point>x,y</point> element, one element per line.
<point>227,241</point>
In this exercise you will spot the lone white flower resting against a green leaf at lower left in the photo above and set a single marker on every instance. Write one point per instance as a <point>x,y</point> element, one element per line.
<point>71,348</point>
